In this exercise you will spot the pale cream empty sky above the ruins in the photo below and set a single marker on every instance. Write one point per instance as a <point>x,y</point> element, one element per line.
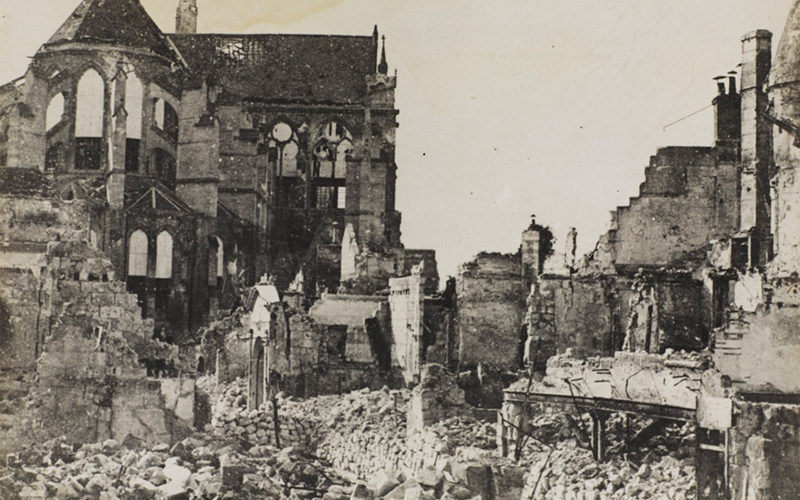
<point>507,107</point>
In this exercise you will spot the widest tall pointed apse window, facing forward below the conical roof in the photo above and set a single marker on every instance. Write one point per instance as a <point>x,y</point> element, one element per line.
<point>89,120</point>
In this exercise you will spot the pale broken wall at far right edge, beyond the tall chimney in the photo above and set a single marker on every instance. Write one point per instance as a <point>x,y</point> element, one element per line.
<point>757,303</point>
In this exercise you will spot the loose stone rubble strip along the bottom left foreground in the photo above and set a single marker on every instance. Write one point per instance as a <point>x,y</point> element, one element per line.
<point>193,468</point>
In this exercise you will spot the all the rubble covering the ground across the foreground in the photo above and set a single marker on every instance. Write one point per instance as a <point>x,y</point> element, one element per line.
<point>349,446</point>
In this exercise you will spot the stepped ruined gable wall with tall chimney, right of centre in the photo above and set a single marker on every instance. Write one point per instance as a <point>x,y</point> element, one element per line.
<point>644,287</point>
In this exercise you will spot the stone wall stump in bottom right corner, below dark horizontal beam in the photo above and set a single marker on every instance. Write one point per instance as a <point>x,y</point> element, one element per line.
<point>765,451</point>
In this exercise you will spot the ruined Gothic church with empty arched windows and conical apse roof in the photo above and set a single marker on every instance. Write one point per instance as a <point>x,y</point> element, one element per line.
<point>214,158</point>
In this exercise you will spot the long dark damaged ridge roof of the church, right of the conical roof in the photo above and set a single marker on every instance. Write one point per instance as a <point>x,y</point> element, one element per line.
<point>282,68</point>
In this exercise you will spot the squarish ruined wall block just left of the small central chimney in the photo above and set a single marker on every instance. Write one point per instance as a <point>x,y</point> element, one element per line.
<point>490,307</point>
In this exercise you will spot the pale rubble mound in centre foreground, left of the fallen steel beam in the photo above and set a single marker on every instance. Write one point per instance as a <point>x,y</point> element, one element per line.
<point>363,435</point>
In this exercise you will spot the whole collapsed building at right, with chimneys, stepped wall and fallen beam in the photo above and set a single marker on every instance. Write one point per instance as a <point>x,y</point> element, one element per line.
<point>703,259</point>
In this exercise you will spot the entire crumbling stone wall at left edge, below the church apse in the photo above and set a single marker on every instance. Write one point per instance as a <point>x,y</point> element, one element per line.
<point>73,339</point>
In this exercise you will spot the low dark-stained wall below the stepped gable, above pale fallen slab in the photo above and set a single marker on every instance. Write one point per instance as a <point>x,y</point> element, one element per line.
<point>597,315</point>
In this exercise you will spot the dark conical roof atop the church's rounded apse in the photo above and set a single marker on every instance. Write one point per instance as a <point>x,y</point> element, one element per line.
<point>122,22</point>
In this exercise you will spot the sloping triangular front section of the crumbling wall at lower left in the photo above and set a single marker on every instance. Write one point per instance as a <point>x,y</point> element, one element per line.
<point>90,383</point>
